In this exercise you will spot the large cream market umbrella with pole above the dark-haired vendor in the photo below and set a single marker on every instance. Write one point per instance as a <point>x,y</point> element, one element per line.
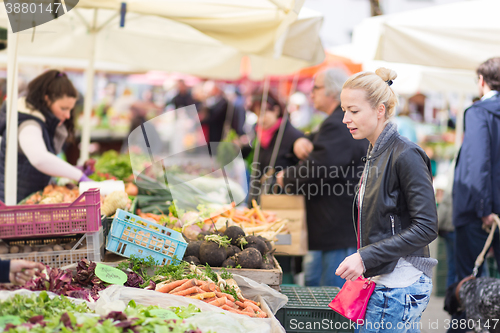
<point>149,40</point>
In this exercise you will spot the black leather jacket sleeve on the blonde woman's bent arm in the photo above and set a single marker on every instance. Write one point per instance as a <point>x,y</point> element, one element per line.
<point>416,187</point>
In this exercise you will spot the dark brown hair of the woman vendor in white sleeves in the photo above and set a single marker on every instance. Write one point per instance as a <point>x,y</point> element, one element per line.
<point>55,85</point>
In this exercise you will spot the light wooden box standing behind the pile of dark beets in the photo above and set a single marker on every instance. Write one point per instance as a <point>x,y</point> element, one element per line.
<point>292,208</point>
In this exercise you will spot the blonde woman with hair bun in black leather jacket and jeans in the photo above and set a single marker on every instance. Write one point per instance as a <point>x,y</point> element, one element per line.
<point>397,216</point>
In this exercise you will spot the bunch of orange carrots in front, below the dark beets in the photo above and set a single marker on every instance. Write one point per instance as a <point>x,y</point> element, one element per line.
<point>210,293</point>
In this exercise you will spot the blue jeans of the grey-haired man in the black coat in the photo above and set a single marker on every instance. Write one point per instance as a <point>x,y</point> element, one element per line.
<point>320,267</point>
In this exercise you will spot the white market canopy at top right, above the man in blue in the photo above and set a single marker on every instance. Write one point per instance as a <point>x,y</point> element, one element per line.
<point>460,35</point>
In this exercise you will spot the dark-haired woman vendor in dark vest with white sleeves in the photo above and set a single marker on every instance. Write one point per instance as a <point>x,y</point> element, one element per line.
<point>45,123</point>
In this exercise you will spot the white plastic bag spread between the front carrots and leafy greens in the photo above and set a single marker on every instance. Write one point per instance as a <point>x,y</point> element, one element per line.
<point>212,318</point>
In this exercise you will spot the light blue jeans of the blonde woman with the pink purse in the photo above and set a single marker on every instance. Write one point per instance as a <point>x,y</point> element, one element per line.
<point>397,309</point>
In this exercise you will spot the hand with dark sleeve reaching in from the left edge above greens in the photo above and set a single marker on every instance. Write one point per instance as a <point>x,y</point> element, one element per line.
<point>18,271</point>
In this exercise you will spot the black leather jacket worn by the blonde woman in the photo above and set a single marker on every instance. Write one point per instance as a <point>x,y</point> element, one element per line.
<point>398,213</point>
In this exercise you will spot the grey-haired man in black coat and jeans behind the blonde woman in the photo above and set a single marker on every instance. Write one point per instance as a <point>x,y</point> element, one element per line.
<point>330,167</point>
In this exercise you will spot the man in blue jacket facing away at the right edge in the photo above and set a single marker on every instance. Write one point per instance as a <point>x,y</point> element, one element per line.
<point>476,186</point>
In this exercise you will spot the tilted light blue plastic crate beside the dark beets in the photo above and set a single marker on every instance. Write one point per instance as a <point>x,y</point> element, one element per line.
<point>131,234</point>
